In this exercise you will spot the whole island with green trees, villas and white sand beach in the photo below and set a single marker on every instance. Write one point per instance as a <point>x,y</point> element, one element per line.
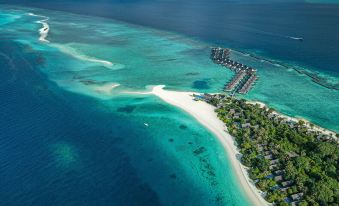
<point>277,159</point>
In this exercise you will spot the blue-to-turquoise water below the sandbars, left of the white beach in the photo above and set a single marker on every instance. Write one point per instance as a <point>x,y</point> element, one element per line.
<point>62,148</point>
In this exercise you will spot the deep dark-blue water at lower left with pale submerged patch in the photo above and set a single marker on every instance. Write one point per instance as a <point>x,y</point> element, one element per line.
<point>37,119</point>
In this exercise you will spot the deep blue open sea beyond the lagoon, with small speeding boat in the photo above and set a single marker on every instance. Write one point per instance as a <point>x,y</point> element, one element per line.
<point>263,27</point>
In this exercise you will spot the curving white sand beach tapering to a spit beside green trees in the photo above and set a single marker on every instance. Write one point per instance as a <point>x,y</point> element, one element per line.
<point>205,114</point>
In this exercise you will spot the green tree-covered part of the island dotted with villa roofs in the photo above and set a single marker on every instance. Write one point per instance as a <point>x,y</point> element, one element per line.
<point>292,161</point>
